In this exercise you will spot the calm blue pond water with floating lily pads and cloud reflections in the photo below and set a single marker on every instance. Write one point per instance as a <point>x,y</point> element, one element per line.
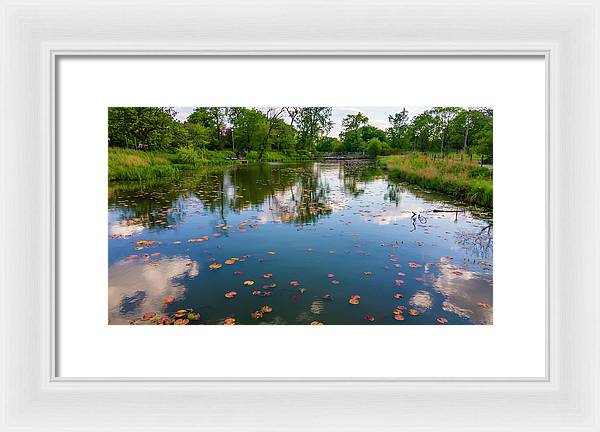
<point>305,238</point>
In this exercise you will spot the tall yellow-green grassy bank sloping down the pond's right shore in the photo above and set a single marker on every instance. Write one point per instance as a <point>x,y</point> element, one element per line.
<point>465,180</point>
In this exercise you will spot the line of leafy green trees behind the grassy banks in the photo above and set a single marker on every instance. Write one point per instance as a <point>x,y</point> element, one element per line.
<point>300,130</point>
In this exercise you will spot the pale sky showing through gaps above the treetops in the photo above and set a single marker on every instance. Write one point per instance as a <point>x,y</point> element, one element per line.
<point>378,116</point>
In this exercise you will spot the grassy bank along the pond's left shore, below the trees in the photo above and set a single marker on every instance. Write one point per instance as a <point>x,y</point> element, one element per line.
<point>125,164</point>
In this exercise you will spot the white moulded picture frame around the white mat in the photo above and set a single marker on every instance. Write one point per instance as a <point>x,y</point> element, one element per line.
<point>35,34</point>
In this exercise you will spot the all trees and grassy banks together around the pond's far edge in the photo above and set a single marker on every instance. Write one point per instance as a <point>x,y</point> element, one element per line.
<point>442,148</point>
